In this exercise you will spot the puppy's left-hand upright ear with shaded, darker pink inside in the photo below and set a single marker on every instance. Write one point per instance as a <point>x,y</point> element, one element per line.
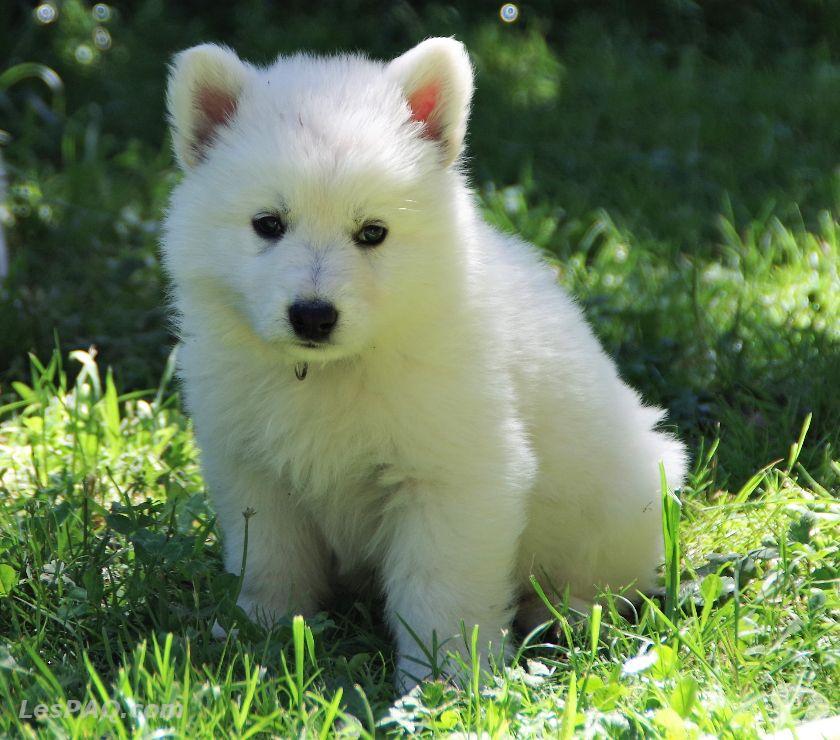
<point>205,83</point>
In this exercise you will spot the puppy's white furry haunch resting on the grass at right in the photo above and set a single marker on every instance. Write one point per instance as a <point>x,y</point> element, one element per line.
<point>595,524</point>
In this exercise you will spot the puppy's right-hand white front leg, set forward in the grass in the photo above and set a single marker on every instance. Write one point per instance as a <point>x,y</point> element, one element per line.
<point>450,560</point>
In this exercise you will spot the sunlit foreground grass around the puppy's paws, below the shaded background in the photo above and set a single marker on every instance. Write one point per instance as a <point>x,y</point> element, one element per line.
<point>111,579</point>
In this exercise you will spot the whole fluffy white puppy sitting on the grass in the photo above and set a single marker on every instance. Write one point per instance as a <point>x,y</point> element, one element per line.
<point>393,386</point>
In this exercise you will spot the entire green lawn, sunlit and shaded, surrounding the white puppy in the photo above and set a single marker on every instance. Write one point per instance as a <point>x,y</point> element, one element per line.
<point>681,168</point>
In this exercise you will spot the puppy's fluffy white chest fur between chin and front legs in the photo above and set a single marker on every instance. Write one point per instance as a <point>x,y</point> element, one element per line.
<point>336,444</point>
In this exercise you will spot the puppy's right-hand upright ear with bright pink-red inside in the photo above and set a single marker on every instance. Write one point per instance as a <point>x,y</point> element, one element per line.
<point>437,81</point>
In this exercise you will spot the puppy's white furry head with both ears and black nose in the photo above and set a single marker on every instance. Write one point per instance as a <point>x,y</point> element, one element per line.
<point>316,212</point>
